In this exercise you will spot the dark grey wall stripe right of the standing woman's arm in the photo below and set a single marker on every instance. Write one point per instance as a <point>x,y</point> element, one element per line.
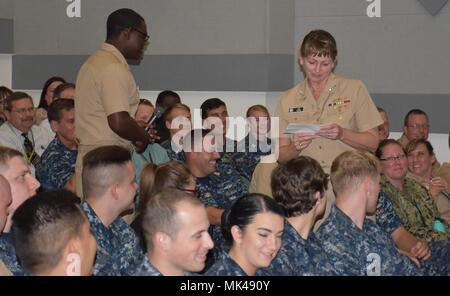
<point>397,106</point>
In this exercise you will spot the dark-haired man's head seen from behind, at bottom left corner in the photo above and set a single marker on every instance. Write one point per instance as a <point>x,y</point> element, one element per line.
<point>52,235</point>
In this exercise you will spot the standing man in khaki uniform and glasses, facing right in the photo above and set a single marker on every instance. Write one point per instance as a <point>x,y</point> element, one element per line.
<point>106,91</point>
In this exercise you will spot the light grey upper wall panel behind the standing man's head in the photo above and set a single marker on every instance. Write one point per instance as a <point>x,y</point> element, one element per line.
<point>175,26</point>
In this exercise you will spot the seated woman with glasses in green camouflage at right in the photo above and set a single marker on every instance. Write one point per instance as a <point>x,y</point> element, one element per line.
<point>411,201</point>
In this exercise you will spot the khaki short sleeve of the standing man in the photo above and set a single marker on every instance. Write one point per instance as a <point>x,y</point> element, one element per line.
<point>115,89</point>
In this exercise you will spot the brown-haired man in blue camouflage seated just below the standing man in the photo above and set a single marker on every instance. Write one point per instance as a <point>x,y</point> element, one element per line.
<point>109,189</point>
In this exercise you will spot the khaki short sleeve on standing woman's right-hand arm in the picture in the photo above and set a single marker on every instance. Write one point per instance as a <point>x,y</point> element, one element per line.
<point>367,115</point>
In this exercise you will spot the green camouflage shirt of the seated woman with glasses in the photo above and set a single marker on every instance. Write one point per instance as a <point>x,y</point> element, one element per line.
<point>416,209</point>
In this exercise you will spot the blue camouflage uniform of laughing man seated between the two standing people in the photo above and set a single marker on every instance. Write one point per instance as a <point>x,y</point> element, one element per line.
<point>219,190</point>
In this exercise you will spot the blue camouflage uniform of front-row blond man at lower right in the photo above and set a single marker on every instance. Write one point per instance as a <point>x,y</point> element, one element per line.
<point>354,251</point>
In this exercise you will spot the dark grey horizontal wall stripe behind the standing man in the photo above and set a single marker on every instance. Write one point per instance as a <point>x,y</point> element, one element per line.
<point>253,72</point>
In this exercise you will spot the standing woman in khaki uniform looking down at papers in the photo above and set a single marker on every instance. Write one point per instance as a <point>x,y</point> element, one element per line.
<point>342,107</point>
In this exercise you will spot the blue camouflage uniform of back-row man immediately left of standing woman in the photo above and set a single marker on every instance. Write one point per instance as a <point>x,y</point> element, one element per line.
<point>248,154</point>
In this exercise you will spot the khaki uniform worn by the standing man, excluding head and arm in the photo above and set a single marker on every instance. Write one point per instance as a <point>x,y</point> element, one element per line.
<point>105,86</point>
